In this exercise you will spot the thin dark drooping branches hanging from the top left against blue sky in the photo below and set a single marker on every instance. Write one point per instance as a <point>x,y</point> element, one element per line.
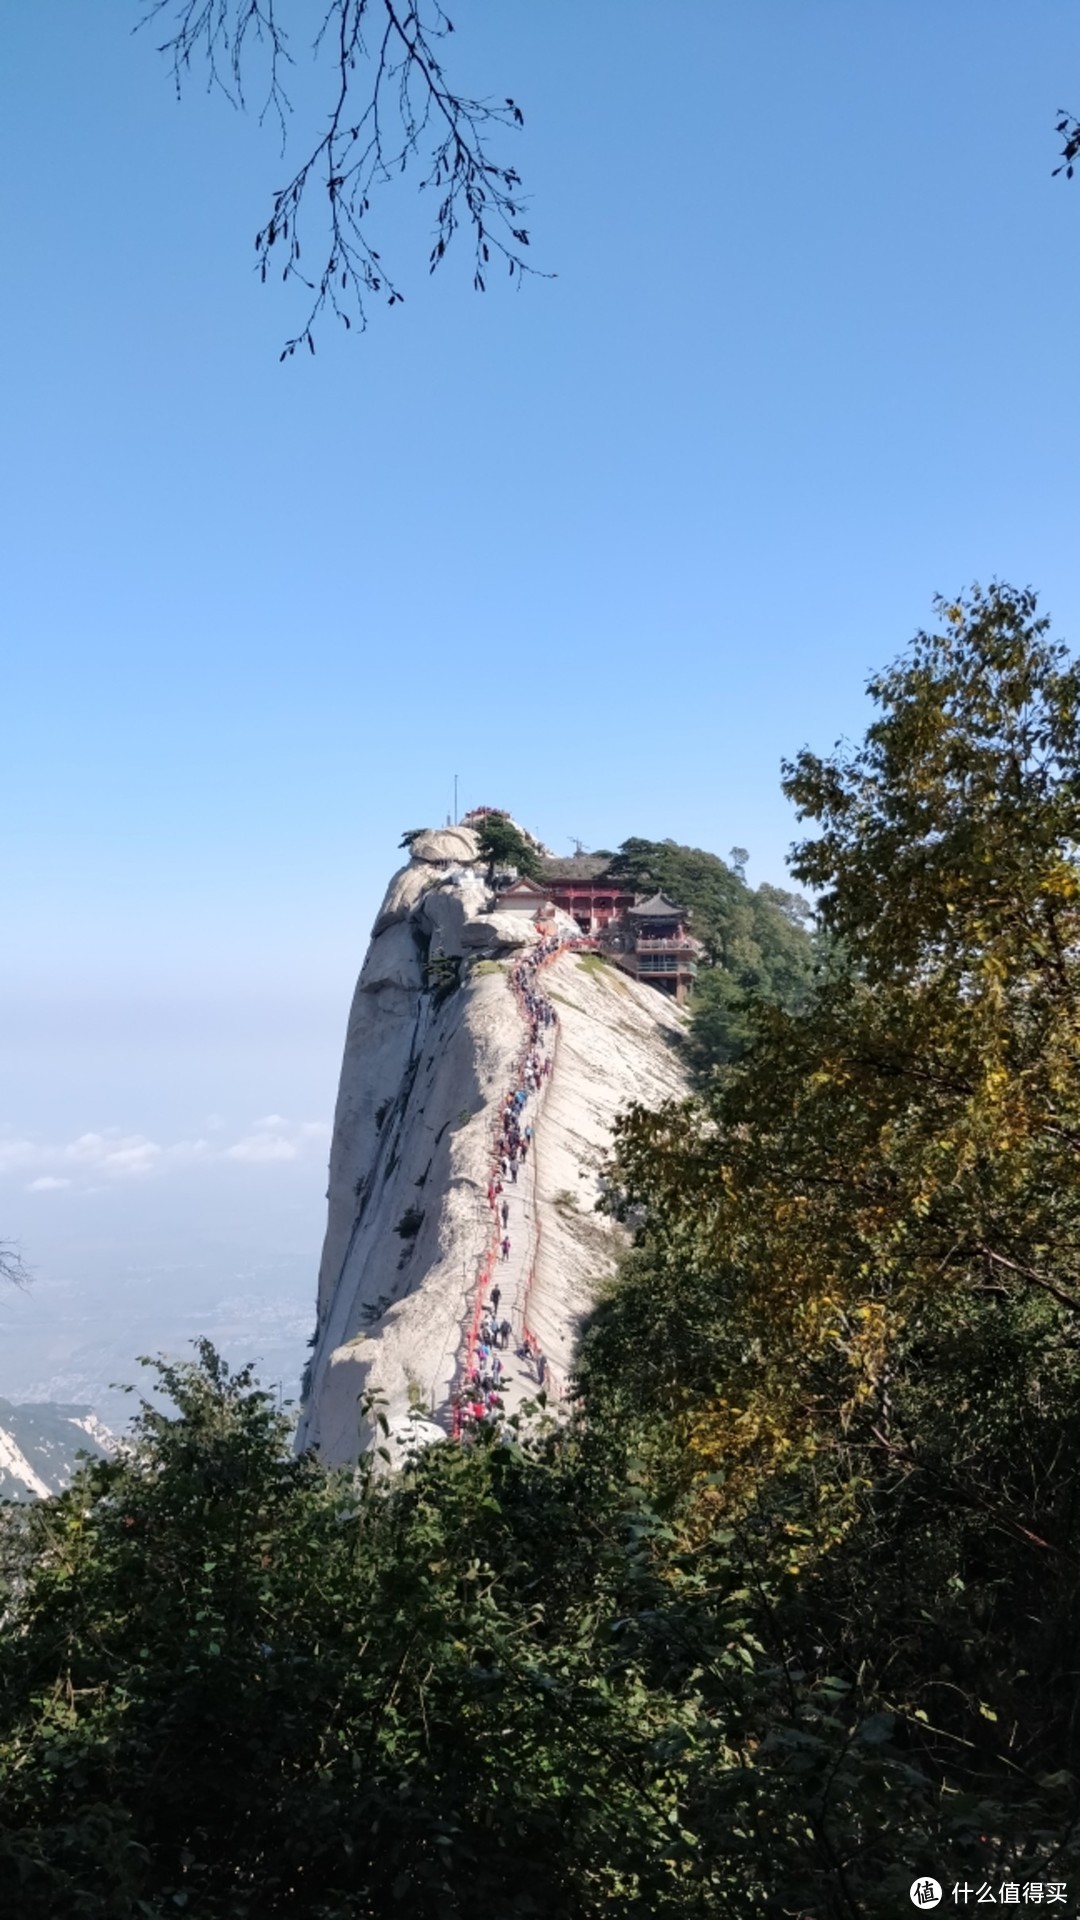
<point>393,107</point>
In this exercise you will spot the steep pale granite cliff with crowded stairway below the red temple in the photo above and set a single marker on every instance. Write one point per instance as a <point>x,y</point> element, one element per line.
<point>456,1009</point>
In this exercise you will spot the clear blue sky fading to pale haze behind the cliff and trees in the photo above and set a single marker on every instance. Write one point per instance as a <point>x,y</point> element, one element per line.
<point>608,548</point>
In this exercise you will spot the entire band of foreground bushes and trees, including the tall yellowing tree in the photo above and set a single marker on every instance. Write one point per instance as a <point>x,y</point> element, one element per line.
<point>789,1614</point>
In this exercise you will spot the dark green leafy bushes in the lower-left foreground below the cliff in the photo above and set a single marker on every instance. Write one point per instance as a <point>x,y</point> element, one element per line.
<point>239,1685</point>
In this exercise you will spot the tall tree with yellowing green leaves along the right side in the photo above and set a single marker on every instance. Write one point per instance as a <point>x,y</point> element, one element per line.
<point>873,1228</point>
